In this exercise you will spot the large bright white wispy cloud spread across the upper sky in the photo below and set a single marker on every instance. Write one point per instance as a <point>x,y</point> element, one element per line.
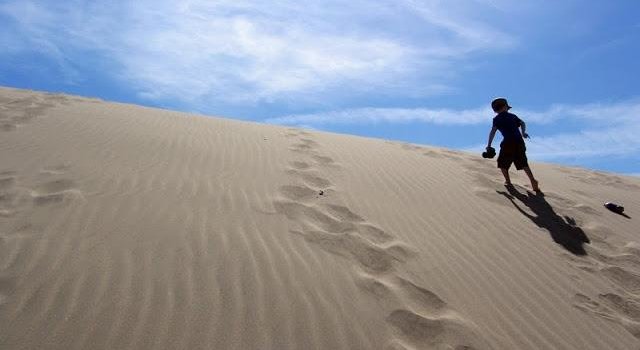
<point>240,51</point>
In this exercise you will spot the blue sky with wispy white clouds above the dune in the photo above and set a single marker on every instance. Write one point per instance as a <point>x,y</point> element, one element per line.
<point>422,72</point>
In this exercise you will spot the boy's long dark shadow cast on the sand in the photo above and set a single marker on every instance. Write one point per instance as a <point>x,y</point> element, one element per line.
<point>564,231</point>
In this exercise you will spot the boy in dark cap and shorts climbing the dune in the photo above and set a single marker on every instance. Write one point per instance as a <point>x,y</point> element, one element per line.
<point>512,148</point>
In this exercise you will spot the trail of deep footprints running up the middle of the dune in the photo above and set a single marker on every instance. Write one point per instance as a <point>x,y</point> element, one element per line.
<point>419,318</point>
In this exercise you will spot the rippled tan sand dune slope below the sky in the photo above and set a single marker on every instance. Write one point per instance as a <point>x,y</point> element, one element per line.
<point>124,227</point>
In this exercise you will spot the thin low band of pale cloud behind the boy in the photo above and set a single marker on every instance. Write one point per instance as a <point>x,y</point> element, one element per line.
<point>604,129</point>
